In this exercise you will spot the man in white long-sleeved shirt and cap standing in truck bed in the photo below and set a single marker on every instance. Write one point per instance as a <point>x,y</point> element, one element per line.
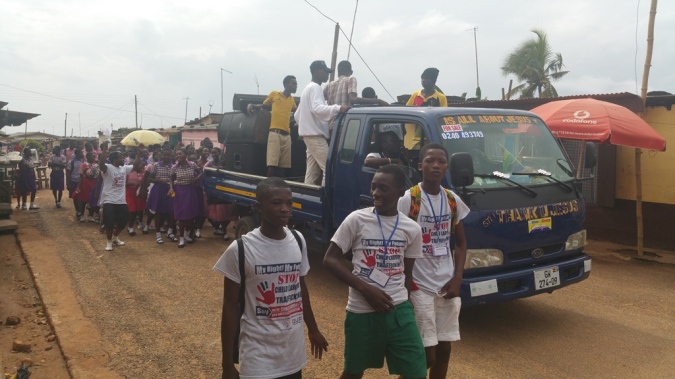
<point>312,117</point>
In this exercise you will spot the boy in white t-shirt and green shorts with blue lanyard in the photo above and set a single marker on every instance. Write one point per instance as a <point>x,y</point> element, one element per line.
<point>380,321</point>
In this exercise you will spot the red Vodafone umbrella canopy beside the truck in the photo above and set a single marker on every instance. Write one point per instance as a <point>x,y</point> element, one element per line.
<point>598,121</point>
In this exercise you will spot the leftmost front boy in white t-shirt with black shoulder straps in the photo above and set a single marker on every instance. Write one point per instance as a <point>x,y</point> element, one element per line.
<point>272,339</point>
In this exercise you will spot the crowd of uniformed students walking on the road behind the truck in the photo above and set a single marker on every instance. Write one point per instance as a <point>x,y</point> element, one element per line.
<point>135,189</point>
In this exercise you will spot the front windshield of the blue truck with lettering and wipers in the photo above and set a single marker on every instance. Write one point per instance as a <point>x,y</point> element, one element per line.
<point>518,147</point>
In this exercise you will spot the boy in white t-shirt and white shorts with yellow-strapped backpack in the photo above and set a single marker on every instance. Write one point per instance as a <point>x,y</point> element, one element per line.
<point>437,275</point>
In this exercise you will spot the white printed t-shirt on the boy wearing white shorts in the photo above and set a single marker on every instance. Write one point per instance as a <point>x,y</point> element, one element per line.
<point>436,266</point>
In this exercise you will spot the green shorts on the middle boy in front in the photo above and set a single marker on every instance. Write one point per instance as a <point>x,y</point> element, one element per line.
<point>370,337</point>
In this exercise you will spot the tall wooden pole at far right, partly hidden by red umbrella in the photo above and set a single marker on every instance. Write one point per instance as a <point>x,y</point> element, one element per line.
<point>638,152</point>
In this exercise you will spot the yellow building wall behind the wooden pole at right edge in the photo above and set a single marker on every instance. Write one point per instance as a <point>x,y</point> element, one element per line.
<point>658,171</point>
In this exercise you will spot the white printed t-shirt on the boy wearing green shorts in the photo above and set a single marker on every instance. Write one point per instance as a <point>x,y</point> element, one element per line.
<point>360,232</point>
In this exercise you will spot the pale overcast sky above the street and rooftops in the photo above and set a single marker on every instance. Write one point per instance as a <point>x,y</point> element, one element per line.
<point>57,55</point>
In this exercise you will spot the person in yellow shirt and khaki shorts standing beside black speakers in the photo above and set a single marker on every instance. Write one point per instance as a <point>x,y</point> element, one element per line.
<point>280,105</point>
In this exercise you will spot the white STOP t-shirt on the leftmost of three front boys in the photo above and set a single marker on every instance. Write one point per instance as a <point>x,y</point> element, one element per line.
<point>272,337</point>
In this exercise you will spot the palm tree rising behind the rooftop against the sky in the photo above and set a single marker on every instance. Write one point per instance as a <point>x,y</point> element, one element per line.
<point>535,65</point>
